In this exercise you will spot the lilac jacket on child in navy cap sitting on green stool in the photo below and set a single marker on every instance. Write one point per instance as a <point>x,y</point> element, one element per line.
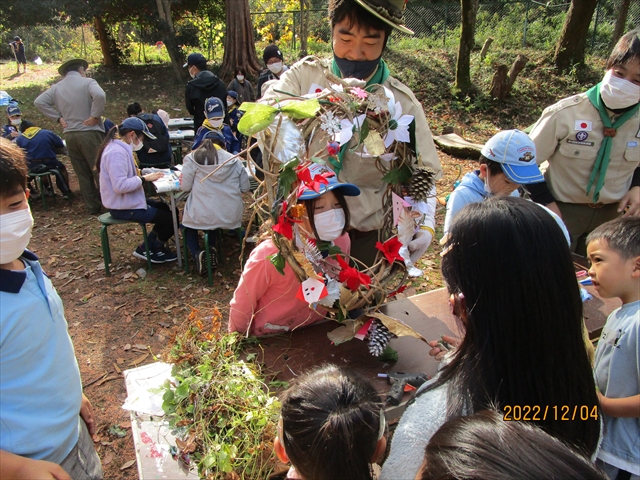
<point>120,185</point>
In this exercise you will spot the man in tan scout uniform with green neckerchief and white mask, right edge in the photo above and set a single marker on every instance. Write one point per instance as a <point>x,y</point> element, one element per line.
<point>592,143</point>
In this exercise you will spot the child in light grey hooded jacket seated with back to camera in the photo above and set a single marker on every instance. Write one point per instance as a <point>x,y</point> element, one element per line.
<point>216,181</point>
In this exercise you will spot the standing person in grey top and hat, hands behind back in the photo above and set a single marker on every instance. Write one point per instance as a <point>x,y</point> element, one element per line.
<point>77,104</point>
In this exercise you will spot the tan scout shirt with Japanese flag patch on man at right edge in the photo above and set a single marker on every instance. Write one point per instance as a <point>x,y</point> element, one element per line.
<point>568,135</point>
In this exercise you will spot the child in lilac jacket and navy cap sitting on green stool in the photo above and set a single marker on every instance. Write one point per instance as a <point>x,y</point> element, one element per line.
<point>121,186</point>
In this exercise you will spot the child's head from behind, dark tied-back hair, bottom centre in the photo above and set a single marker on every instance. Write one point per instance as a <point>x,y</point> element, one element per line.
<point>331,426</point>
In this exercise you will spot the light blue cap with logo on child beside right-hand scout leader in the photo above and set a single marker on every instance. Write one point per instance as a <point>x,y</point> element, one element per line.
<point>516,154</point>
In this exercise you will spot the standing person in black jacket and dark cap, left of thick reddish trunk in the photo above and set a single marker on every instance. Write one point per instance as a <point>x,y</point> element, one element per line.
<point>203,84</point>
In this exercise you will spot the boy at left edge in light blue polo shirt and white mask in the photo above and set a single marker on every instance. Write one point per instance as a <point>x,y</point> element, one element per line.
<point>46,420</point>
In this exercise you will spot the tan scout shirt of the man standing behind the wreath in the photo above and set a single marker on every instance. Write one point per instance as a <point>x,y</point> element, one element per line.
<point>365,209</point>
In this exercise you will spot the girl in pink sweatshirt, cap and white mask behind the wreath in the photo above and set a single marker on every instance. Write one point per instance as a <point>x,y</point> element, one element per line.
<point>266,302</point>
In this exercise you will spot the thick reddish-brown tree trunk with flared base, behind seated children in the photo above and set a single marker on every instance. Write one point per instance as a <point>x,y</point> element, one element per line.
<point>239,44</point>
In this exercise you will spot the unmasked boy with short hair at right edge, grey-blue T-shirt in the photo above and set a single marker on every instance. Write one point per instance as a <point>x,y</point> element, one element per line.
<point>614,253</point>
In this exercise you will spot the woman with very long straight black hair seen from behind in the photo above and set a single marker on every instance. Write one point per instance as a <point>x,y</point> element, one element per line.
<point>513,288</point>
